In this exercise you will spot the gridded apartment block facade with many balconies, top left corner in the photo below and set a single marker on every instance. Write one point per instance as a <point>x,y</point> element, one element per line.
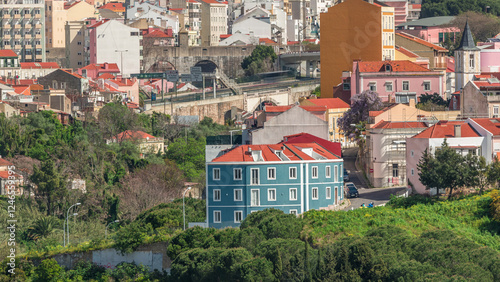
<point>23,29</point>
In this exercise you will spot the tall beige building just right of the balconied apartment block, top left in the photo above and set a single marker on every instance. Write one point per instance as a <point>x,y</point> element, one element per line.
<point>57,14</point>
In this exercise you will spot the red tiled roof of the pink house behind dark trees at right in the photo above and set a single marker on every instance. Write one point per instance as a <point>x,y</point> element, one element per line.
<point>446,129</point>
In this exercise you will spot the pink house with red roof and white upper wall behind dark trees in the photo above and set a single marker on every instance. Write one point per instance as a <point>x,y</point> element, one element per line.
<point>458,134</point>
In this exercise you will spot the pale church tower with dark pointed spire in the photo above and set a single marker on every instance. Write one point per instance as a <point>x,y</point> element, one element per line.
<point>467,59</point>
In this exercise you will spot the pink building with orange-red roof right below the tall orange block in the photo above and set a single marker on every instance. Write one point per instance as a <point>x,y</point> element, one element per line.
<point>395,81</point>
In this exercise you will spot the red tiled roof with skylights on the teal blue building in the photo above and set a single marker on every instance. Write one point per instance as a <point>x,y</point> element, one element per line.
<point>292,151</point>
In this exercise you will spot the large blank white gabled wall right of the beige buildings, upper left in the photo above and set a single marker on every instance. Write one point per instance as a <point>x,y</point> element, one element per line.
<point>120,44</point>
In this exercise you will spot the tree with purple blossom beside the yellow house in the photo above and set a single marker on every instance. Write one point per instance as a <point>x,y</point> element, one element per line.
<point>361,105</point>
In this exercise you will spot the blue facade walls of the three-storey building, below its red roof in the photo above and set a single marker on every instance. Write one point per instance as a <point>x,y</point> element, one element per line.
<point>272,192</point>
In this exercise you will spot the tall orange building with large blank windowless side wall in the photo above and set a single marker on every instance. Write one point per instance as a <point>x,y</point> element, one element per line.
<point>354,30</point>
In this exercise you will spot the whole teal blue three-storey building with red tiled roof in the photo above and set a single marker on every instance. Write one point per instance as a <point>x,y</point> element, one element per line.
<point>291,177</point>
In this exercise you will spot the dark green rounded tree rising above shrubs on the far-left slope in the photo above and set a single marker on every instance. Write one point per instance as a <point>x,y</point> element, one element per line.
<point>51,184</point>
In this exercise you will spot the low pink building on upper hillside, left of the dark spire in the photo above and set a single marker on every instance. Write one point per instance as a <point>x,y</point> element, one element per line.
<point>431,29</point>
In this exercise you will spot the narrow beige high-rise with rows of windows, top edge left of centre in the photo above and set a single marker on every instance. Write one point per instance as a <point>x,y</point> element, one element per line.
<point>213,22</point>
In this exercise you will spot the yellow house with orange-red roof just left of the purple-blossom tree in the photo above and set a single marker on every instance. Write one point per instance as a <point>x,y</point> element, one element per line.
<point>335,109</point>
